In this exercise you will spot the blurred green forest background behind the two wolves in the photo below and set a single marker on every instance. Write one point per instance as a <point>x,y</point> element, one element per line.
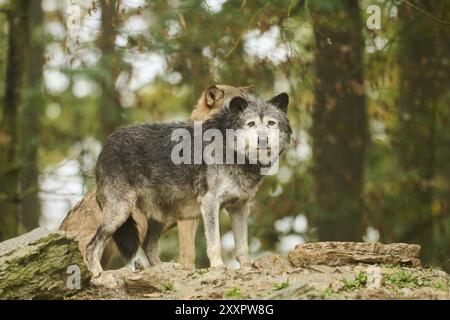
<point>369,106</point>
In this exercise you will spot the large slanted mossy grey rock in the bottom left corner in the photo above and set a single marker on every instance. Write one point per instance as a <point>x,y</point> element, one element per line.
<point>41,265</point>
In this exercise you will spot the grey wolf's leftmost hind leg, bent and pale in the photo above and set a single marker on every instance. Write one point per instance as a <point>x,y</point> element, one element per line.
<point>114,214</point>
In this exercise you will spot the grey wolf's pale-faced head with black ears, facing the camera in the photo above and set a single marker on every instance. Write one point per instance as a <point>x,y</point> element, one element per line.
<point>261,127</point>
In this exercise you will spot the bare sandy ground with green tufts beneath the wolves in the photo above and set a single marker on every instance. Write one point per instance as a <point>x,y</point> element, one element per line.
<point>273,277</point>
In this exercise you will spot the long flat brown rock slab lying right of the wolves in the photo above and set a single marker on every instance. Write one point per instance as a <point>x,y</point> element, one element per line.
<point>345,253</point>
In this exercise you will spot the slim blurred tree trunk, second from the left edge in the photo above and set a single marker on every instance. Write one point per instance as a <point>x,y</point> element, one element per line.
<point>31,123</point>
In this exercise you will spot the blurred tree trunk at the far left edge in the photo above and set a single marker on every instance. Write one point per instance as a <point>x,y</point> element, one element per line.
<point>18,40</point>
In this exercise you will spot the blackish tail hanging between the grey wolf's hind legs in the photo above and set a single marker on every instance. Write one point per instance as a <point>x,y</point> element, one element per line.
<point>127,239</point>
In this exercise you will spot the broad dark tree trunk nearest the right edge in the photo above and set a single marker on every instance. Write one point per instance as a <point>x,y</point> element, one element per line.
<point>424,79</point>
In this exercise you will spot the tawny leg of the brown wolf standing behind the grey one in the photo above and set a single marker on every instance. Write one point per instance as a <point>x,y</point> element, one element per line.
<point>186,236</point>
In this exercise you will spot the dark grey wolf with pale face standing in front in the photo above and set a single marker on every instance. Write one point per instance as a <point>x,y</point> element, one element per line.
<point>135,172</point>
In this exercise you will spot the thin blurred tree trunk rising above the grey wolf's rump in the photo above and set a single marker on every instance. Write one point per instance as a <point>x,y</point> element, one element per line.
<point>110,106</point>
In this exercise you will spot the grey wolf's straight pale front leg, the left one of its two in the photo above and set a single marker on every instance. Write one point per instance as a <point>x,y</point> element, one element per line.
<point>210,214</point>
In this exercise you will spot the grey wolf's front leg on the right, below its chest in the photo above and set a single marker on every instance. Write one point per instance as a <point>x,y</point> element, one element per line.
<point>238,219</point>
